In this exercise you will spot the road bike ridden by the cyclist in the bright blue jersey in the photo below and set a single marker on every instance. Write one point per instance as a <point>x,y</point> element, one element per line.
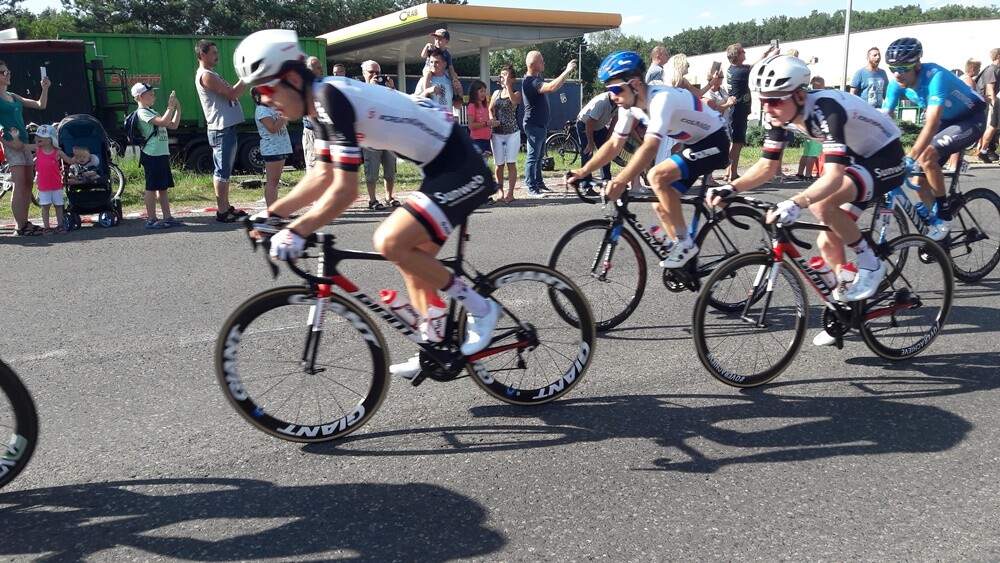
<point>973,243</point>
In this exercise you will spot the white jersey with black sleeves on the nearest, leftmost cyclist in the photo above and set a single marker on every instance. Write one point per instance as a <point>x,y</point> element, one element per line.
<point>354,114</point>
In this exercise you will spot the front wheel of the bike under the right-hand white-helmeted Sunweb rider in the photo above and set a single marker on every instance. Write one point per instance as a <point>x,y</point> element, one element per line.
<point>753,344</point>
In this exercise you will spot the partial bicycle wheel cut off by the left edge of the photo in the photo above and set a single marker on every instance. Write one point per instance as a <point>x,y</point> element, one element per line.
<point>18,419</point>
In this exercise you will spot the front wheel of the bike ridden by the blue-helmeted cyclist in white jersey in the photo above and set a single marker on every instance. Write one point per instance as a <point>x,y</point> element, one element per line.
<point>610,271</point>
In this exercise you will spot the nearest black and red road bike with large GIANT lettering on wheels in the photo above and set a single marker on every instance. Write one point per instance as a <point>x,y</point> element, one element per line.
<point>306,363</point>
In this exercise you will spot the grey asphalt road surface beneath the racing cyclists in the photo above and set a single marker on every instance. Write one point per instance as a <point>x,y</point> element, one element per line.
<point>844,457</point>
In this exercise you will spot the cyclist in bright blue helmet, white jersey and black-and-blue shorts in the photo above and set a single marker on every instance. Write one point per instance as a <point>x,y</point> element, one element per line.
<point>670,115</point>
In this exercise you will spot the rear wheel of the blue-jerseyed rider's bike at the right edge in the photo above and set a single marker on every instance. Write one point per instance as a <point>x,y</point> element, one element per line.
<point>974,240</point>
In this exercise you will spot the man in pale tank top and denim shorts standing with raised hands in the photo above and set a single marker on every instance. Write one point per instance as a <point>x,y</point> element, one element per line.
<point>223,113</point>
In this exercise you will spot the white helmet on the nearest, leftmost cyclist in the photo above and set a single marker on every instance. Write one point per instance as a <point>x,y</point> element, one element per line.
<point>266,54</point>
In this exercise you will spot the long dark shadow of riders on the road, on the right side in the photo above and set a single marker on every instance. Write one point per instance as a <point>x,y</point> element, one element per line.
<point>703,433</point>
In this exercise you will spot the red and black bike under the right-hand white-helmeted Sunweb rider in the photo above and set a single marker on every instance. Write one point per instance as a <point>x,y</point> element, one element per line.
<point>755,343</point>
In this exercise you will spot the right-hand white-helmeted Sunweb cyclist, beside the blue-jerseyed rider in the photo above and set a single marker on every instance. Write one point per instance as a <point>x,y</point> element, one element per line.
<point>863,160</point>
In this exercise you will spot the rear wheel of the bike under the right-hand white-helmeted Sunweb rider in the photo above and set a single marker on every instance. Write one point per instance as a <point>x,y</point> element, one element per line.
<point>912,304</point>
